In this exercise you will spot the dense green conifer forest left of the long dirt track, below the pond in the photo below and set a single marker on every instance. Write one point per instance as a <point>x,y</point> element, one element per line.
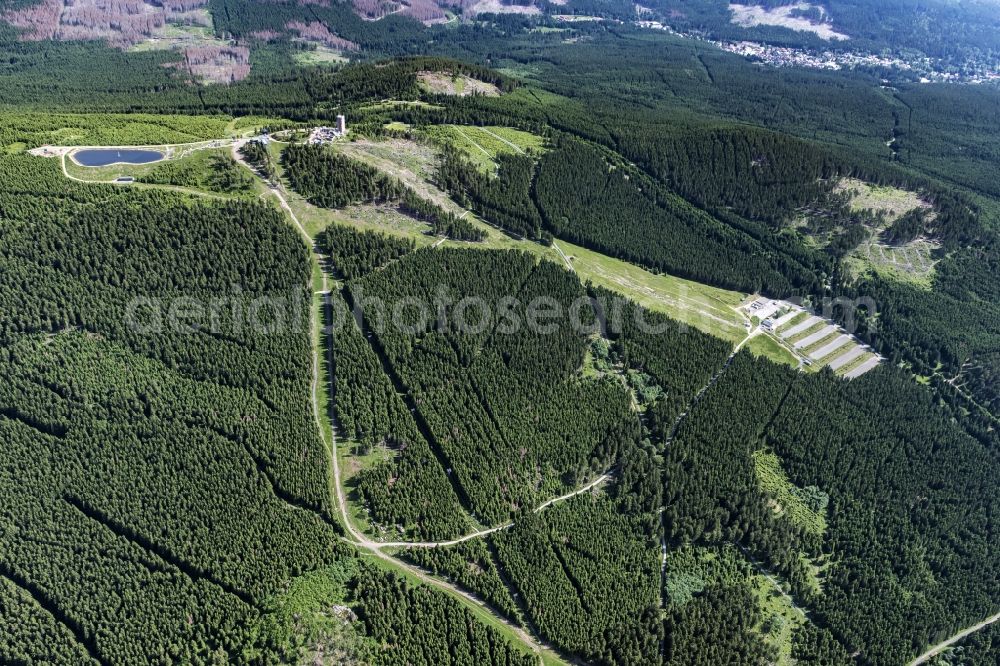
<point>207,491</point>
